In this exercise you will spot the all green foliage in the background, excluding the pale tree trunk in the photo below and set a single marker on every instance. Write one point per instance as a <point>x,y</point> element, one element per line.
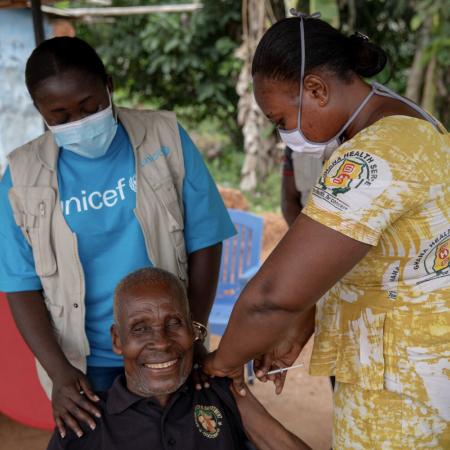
<point>186,62</point>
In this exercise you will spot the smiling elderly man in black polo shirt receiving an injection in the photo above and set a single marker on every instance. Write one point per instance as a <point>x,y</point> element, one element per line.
<point>156,404</point>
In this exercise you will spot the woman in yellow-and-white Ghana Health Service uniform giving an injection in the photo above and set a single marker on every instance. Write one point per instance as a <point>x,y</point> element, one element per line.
<point>370,249</point>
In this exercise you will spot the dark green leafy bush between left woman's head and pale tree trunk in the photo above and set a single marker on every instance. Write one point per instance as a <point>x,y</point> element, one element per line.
<point>182,61</point>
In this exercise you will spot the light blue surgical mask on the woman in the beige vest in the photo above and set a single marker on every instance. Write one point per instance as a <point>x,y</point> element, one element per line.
<point>89,137</point>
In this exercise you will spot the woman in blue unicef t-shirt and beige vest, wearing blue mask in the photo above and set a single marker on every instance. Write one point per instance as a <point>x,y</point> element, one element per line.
<point>104,192</point>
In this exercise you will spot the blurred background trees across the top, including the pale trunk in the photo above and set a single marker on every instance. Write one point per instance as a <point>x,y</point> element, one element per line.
<point>199,63</point>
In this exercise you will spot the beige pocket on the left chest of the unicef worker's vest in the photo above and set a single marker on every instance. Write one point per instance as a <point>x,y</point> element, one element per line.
<point>33,209</point>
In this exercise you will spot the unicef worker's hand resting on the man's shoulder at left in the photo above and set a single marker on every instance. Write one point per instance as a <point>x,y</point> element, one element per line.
<point>72,401</point>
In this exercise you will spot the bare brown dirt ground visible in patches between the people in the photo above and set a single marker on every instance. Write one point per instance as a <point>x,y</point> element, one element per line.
<point>304,407</point>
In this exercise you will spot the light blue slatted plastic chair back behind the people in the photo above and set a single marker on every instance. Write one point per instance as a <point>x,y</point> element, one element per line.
<point>240,253</point>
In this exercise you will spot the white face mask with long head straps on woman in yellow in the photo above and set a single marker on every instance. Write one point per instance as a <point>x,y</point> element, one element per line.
<point>295,139</point>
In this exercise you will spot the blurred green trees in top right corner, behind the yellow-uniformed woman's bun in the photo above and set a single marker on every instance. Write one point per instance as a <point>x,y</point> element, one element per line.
<point>416,36</point>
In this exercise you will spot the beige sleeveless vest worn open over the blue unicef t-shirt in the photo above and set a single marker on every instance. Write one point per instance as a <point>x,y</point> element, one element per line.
<point>35,202</point>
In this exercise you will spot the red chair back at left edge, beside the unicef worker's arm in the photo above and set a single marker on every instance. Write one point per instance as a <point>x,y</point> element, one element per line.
<point>21,395</point>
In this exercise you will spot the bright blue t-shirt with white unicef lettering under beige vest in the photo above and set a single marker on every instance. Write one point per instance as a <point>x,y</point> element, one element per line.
<point>98,197</point>
